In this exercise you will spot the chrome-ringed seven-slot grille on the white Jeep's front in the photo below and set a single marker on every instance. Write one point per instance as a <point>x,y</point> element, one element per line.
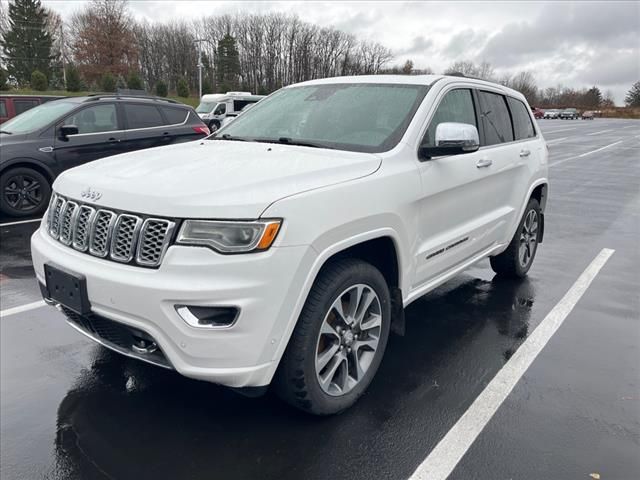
<point>119,236</point>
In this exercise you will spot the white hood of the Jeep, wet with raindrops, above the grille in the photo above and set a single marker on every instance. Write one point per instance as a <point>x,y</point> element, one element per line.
<point>211,179</point>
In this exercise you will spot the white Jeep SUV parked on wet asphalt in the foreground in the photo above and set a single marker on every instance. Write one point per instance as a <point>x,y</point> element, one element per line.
<point>282,249</point>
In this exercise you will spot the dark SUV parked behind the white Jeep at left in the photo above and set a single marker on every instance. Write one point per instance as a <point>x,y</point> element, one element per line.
<point>50,138</point>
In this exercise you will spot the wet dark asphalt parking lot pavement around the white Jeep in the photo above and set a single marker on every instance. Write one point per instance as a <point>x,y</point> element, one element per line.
<point>74,410</point>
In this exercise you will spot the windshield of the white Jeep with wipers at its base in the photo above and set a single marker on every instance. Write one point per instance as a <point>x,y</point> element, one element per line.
<point>355,117</point>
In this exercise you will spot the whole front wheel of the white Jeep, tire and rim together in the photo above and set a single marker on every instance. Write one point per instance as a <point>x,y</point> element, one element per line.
<point>323,340</point>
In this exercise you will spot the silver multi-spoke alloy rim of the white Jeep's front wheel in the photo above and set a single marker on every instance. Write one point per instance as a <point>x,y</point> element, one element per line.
<point>348,340</point>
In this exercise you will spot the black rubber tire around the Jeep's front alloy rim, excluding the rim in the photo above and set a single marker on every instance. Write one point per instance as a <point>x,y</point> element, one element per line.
<point>362,274</point>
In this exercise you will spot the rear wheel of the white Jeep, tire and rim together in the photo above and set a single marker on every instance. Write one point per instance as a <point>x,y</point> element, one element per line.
<point>516,260</point>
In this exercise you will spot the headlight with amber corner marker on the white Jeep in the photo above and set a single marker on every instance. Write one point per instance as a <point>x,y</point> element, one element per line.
<point>229,237</point>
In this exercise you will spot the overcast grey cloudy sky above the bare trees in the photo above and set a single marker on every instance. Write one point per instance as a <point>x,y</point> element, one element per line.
<point>577,44</point>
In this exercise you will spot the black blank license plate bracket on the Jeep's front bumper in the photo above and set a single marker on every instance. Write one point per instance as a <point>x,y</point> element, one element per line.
<point>67,288</point>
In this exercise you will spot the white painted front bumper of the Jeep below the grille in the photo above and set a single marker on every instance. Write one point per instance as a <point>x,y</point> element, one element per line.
<point>264,286</point>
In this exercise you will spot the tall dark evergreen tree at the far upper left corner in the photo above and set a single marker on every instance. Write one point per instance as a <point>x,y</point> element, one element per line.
<point>27,44</point>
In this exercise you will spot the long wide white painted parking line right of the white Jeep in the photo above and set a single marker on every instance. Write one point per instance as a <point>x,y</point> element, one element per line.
<point>445,456</point>
